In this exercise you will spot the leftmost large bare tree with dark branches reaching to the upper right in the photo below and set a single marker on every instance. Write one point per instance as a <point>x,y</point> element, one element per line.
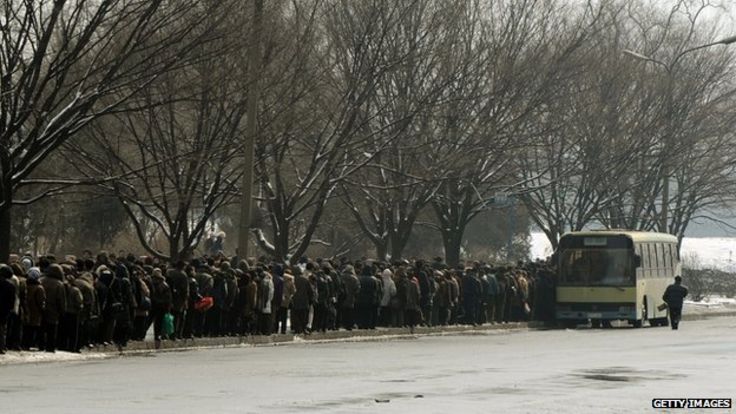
<point>64,64</point>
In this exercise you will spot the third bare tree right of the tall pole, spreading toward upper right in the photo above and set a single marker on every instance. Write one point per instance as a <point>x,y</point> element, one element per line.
<point>486,122</point>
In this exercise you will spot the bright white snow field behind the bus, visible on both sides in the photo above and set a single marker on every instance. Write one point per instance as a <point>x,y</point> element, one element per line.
<point>715,252</point>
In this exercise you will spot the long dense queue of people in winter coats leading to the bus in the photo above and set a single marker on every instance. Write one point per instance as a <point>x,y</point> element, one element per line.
<point>48,304</point>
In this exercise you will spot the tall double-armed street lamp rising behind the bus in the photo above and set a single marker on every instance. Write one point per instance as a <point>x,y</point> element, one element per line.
<point>669,68</point>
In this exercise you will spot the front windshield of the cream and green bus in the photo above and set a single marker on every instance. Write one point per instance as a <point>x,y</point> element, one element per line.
<point>597,267</point>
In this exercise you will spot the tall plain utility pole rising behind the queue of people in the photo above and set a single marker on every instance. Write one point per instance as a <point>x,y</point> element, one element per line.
<point>251,130</point>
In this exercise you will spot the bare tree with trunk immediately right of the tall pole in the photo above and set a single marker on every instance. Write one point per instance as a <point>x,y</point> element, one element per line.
<point>318,113</point>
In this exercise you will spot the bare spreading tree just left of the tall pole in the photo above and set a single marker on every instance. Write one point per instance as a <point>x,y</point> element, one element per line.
<point>173,163</point>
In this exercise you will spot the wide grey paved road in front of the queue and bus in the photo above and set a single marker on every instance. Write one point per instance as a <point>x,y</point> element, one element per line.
<point>558,371</point>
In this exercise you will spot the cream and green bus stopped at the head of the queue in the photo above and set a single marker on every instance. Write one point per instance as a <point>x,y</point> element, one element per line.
<point>611,275</point>
